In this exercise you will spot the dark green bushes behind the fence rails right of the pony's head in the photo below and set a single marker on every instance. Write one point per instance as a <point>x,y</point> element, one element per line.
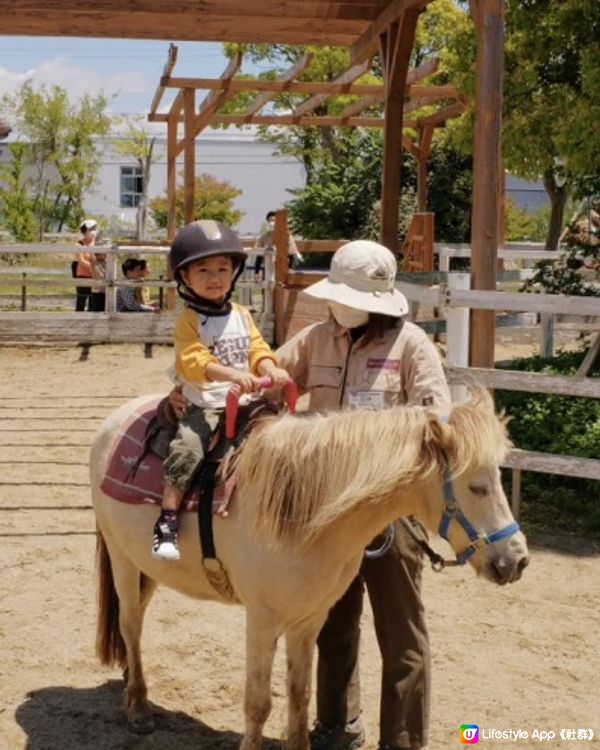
<point>561,425</point>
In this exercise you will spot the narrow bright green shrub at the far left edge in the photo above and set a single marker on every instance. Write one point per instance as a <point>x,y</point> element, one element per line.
<point>16,208</point>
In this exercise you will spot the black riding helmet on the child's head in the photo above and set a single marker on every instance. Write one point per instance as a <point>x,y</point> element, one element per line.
<point>201,239</point>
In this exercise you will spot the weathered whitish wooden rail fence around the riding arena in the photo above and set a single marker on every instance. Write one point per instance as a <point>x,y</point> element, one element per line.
<point>451,295</point>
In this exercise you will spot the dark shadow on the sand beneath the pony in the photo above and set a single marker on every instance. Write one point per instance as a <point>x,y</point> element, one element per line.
<point>64,718</point>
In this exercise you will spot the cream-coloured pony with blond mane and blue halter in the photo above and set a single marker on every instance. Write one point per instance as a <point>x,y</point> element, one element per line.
<point>312,493</point>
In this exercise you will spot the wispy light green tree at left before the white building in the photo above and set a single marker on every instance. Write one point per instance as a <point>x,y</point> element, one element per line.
<point>58,136</point>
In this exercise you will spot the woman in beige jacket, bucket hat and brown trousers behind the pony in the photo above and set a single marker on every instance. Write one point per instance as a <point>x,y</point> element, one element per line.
<point>367,356</point>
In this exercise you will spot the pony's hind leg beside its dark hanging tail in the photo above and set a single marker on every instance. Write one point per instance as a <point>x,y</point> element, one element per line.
<point>134,592</point>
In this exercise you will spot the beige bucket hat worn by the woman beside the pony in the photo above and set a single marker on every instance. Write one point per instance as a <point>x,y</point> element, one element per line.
<point>362,276</point>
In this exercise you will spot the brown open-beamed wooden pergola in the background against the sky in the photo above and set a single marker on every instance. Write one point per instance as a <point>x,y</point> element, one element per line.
<point>227,86</point>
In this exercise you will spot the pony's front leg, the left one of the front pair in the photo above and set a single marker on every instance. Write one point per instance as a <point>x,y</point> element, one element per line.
<point>261,640</point>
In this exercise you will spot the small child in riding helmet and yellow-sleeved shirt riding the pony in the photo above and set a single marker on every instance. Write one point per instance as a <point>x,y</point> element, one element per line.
<point>216,344</point>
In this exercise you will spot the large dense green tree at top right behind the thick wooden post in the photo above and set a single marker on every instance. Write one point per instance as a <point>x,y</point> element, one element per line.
<point>551,96</point>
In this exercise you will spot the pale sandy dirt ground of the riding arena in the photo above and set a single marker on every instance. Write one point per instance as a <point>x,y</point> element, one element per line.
<point>524,657</point>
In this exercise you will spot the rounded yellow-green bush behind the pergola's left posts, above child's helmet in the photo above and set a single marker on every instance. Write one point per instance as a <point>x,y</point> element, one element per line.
<point>213,200</point>
